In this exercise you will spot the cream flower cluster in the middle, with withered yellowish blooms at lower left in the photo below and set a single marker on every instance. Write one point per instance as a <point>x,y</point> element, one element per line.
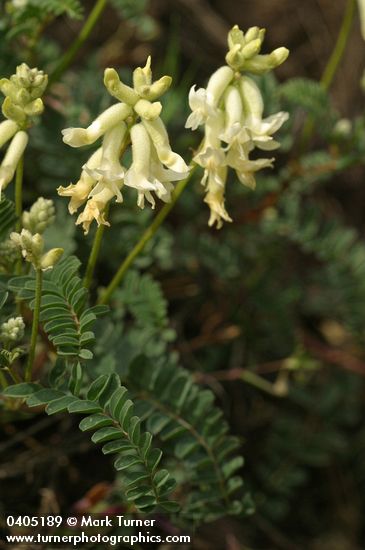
<point>154,165</point>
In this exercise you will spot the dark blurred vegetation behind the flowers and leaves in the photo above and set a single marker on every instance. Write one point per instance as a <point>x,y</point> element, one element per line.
<point>269,311</point>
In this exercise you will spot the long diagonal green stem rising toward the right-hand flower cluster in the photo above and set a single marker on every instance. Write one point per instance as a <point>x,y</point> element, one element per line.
<point>146,236</point>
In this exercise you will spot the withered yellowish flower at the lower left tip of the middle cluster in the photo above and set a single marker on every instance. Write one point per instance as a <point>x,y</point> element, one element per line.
<point>80,191</point>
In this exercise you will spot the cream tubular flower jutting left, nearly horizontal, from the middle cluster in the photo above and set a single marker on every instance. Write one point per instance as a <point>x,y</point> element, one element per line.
<point>77,137</point>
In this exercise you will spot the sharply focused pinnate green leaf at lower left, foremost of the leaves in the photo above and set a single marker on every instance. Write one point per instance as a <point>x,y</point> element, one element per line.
<point>110,416</point>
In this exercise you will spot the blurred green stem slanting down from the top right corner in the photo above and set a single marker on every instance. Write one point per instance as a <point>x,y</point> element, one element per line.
<point>332,65</point>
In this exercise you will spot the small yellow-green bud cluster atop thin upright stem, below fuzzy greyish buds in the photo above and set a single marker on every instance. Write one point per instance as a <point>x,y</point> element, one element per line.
<point>32,249</point>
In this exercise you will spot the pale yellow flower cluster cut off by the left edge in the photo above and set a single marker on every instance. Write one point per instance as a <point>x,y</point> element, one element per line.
<point>22,102</point>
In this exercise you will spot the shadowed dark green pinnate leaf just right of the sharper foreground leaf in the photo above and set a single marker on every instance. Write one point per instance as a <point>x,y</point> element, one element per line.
<point>184,417</point>
